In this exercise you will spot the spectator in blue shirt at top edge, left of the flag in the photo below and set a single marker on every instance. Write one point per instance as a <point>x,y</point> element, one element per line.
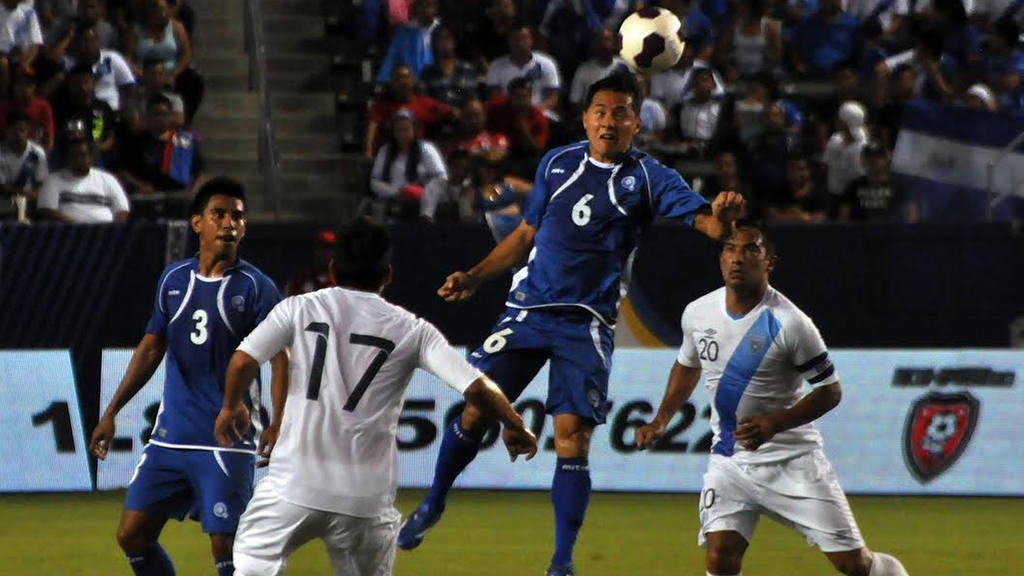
<point>824,39</point>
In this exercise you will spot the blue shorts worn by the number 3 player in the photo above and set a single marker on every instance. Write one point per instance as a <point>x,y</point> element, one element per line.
<point>212,486</point>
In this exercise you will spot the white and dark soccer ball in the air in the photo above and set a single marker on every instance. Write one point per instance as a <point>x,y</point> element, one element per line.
<point>652,40</point>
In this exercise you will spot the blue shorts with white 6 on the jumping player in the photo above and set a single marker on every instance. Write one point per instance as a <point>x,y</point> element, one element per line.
<point>578,346</point>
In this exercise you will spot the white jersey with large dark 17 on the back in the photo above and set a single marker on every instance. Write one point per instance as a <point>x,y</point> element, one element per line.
<point>353,355</point>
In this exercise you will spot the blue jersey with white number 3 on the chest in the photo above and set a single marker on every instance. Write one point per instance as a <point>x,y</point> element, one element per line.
<point>203,321</point>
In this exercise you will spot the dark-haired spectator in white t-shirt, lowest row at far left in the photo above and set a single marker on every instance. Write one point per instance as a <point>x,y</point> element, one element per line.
<point>81,193</point>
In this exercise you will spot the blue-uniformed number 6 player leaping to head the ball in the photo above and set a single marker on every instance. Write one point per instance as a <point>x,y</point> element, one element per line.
<point>582,222</point>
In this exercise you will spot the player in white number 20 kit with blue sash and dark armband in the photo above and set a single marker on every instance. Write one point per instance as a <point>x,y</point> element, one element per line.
<point>756,349</point>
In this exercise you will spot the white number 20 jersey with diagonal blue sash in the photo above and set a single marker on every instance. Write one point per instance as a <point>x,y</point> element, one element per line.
<point>756,364</point>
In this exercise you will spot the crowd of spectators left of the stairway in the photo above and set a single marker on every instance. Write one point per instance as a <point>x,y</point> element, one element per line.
<point>98,100</point>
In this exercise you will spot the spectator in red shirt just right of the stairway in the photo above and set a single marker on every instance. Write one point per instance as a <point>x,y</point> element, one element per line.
<point>425,110</point>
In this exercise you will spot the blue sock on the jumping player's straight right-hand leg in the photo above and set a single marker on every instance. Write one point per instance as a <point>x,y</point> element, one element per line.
<point>570,495</point>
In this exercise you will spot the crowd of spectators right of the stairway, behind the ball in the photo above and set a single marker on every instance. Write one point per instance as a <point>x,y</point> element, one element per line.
<point>795,104</point>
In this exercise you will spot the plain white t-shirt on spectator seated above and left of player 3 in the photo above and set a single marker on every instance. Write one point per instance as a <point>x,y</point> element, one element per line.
<point>94,198</point>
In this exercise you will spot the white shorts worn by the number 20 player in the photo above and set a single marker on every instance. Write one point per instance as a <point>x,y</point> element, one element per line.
<point>802,493</point>
